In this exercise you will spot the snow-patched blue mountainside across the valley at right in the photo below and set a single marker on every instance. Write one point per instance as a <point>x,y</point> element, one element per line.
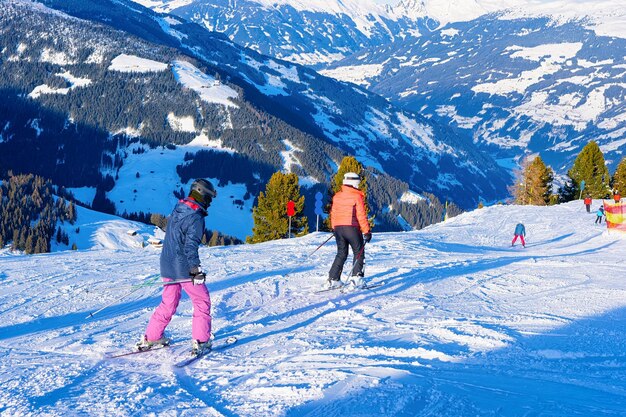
<point>517,85</point>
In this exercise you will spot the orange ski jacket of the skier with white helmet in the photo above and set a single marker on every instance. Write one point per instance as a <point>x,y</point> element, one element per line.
<point>348,209</point>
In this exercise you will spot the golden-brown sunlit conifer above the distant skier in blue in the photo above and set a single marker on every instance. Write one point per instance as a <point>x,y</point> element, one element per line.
<point>533,184</point>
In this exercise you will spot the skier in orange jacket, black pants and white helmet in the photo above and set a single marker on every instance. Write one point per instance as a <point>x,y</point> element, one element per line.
<point>350,226</point>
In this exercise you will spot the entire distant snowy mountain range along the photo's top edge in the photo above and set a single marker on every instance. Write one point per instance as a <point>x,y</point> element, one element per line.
<point>318,32</point>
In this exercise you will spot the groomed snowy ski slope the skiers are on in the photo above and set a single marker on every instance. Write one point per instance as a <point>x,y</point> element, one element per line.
<point>464,326</point>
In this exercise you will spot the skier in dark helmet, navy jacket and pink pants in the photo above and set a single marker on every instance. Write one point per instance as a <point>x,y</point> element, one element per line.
<point>180,260</point>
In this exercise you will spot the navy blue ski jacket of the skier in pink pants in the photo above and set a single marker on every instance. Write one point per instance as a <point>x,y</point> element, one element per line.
<point>185,228</point>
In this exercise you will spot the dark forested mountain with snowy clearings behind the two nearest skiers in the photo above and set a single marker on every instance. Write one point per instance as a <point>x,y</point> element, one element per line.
<point>129,107</point>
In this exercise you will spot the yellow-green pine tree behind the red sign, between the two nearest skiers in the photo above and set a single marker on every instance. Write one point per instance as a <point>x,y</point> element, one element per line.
<point>270,218</point>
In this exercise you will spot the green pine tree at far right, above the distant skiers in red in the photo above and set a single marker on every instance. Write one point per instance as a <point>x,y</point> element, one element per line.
<point>590,167</point>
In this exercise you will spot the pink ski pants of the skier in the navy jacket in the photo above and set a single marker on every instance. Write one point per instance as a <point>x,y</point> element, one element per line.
<point>201,321</point>
